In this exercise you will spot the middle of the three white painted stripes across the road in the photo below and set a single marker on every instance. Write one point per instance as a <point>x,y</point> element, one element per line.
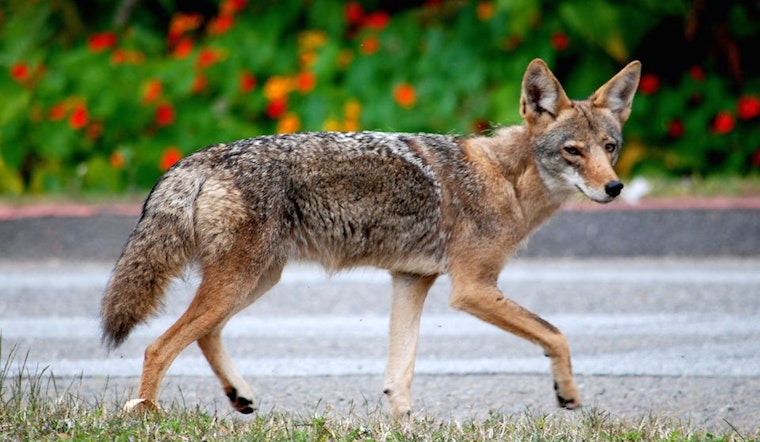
<point>452,325</point>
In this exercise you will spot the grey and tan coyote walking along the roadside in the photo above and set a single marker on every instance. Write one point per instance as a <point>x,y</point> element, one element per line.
<point>418,205</point>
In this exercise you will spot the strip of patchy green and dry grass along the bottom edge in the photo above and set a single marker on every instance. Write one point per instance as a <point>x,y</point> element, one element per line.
<point>34,405</point>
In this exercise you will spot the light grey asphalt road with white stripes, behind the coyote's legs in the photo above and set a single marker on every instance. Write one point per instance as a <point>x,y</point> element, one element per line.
<point>674,336</point>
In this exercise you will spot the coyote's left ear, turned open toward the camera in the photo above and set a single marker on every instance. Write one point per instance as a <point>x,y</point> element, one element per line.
<point>541,93</point>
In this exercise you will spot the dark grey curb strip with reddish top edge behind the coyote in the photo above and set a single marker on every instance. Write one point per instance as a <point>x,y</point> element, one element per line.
<point>696,227</point>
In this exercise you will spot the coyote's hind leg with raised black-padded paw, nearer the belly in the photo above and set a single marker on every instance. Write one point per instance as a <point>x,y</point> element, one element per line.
<point>235,387</point>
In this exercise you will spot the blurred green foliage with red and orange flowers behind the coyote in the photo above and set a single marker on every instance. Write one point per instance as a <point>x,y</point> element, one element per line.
<point>104,96</point>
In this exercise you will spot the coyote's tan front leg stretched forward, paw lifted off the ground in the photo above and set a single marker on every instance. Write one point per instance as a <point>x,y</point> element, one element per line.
<point>486,302</point>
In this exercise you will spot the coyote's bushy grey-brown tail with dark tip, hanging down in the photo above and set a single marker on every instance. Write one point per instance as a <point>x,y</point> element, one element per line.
<point>158,250</point>
